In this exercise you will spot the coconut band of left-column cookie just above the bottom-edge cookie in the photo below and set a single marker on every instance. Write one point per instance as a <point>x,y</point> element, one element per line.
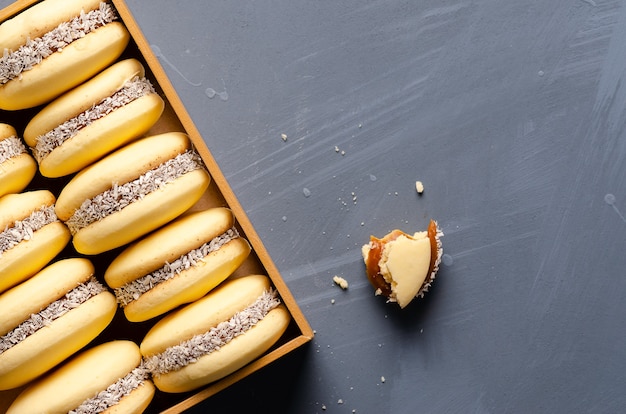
<point>74,298</point>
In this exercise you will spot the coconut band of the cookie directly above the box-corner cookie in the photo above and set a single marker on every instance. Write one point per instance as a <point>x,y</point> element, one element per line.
<point>133,290</point>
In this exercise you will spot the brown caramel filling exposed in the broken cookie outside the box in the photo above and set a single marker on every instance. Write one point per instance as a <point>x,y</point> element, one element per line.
<point>376,250</point>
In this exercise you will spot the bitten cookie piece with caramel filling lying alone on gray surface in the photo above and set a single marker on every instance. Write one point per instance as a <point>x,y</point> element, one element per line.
<point>402,267</point>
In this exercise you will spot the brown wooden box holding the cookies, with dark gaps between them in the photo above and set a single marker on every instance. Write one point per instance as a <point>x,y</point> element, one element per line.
<point>174,118</point>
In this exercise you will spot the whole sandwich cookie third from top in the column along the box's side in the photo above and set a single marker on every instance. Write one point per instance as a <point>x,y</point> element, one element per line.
<point>131,192</point>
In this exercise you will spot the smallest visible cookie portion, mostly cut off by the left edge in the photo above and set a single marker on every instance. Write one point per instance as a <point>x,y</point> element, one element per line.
<point>17,166</point>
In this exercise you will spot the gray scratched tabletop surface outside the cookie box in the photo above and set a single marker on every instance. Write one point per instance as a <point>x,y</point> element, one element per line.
<point>511,112</point>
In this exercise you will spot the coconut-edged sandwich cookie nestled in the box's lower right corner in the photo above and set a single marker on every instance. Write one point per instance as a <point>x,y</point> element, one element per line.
<point>233,325</point>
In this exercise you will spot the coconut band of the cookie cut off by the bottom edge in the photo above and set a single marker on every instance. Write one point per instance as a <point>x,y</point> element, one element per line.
<point>114,392</point>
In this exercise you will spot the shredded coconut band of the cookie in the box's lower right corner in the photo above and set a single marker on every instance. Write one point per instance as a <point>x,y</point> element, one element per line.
<point>188,352</point>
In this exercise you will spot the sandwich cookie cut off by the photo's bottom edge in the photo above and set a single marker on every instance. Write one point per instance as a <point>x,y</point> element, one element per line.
<point>108,378</point>
